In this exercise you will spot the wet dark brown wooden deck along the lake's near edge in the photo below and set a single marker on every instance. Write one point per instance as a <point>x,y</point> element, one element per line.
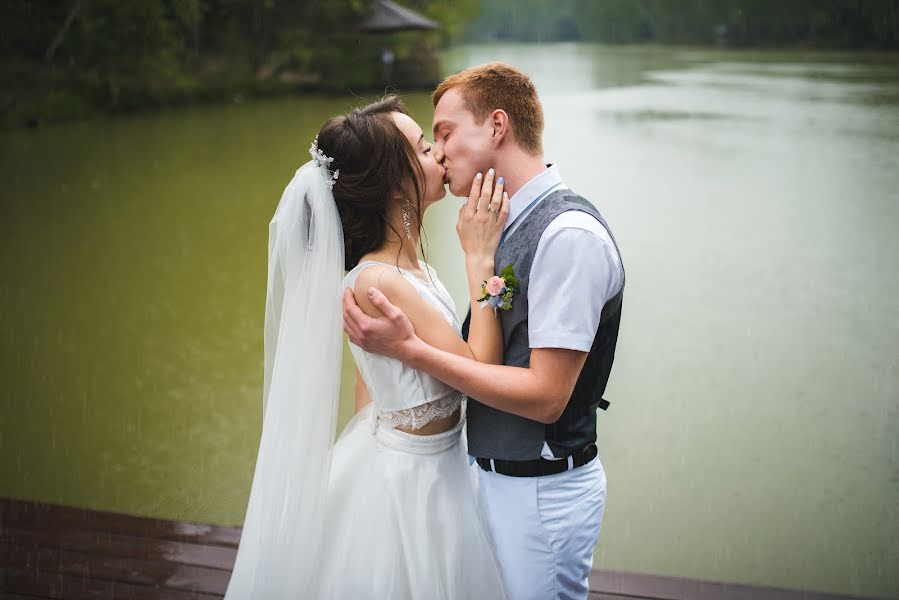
<point>49,551</point>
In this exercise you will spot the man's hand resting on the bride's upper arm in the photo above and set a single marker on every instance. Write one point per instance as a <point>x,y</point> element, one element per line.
<point>391,335</point>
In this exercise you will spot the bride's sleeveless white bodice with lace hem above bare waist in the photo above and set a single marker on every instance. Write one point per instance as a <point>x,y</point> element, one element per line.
<point>404,397</point>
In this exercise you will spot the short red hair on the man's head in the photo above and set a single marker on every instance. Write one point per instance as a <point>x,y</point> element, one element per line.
<point>498,85</point>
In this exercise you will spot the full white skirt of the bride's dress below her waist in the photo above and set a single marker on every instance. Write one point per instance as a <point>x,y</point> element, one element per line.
<point>402,519</point>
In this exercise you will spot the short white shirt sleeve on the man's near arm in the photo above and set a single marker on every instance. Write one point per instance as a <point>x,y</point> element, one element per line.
<point>576,270</point>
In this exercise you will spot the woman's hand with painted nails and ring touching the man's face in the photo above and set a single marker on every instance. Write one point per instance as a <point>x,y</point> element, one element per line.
<point>482,217</point>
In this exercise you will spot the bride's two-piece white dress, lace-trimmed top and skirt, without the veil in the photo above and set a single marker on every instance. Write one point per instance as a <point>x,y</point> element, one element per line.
<point>401,518</point>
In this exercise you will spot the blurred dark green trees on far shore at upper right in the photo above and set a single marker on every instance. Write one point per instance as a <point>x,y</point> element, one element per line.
<point>820,23</point>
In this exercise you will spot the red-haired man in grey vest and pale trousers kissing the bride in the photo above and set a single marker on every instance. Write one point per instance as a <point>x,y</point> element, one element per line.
<point>532,429</point>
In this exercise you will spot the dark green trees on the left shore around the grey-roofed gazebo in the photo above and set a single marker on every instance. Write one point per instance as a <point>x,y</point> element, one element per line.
<point>65,59</point>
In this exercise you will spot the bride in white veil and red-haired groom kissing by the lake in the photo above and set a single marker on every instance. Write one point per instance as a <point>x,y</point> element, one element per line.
<point>404,504</point>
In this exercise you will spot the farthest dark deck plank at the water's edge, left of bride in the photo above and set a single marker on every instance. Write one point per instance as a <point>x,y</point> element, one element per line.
<point>41,516</point>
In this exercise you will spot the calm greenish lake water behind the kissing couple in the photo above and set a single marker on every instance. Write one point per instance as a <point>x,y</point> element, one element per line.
<point>755,397</point>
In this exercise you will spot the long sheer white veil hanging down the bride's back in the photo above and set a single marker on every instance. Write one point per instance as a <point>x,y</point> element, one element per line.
<point>303,350</point>
